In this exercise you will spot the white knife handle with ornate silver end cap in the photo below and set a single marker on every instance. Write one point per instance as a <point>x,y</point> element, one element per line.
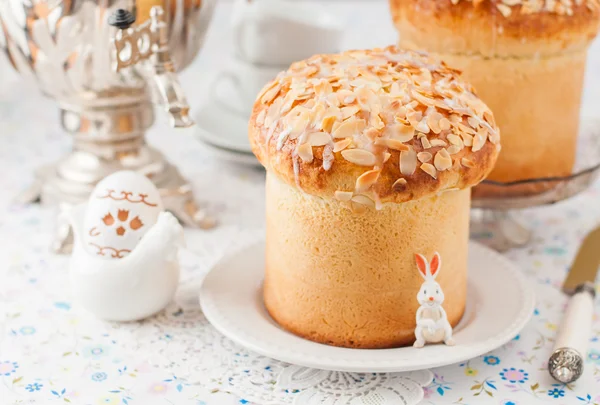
<point>570,347</point>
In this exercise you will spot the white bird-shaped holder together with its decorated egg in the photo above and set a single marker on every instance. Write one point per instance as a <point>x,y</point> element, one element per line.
<point>124,264</point>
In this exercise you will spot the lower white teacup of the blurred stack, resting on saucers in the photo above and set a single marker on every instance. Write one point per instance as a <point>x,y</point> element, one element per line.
<point>237,86</point>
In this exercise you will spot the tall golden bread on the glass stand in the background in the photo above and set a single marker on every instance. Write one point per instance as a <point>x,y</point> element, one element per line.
<point>526,60</point>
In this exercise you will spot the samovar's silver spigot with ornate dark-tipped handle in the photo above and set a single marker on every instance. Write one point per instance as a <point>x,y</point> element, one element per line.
<point>150,41</point>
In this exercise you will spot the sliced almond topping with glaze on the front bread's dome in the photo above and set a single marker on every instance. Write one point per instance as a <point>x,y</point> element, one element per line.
<point>365,105</point>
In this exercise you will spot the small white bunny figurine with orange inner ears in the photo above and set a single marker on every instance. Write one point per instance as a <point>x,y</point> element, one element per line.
<point>432,321</point>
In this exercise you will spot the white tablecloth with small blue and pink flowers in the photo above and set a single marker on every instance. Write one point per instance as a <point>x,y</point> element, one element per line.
<point>51,351</point>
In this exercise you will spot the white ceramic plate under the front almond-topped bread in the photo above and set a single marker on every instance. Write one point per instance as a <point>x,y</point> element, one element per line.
<point>499,304</point>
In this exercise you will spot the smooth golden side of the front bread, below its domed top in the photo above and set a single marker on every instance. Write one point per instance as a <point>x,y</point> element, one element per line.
<point>349,279</point>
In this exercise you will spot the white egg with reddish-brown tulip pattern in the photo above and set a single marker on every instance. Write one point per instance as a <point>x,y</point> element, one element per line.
<point>121,209</point>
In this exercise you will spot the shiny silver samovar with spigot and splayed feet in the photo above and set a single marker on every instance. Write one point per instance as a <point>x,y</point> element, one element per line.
<point>106,62</point>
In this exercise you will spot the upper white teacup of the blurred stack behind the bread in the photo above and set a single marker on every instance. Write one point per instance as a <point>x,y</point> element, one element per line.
<point>279,32</point>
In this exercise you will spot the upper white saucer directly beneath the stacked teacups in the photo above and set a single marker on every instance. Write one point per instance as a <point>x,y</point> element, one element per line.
<point>223,128</point>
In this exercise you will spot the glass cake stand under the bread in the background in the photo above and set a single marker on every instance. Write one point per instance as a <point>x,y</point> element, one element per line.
<point>495,215</point>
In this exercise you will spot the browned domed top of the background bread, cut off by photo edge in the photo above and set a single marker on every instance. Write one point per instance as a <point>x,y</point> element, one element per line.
<point>494,28</point>
